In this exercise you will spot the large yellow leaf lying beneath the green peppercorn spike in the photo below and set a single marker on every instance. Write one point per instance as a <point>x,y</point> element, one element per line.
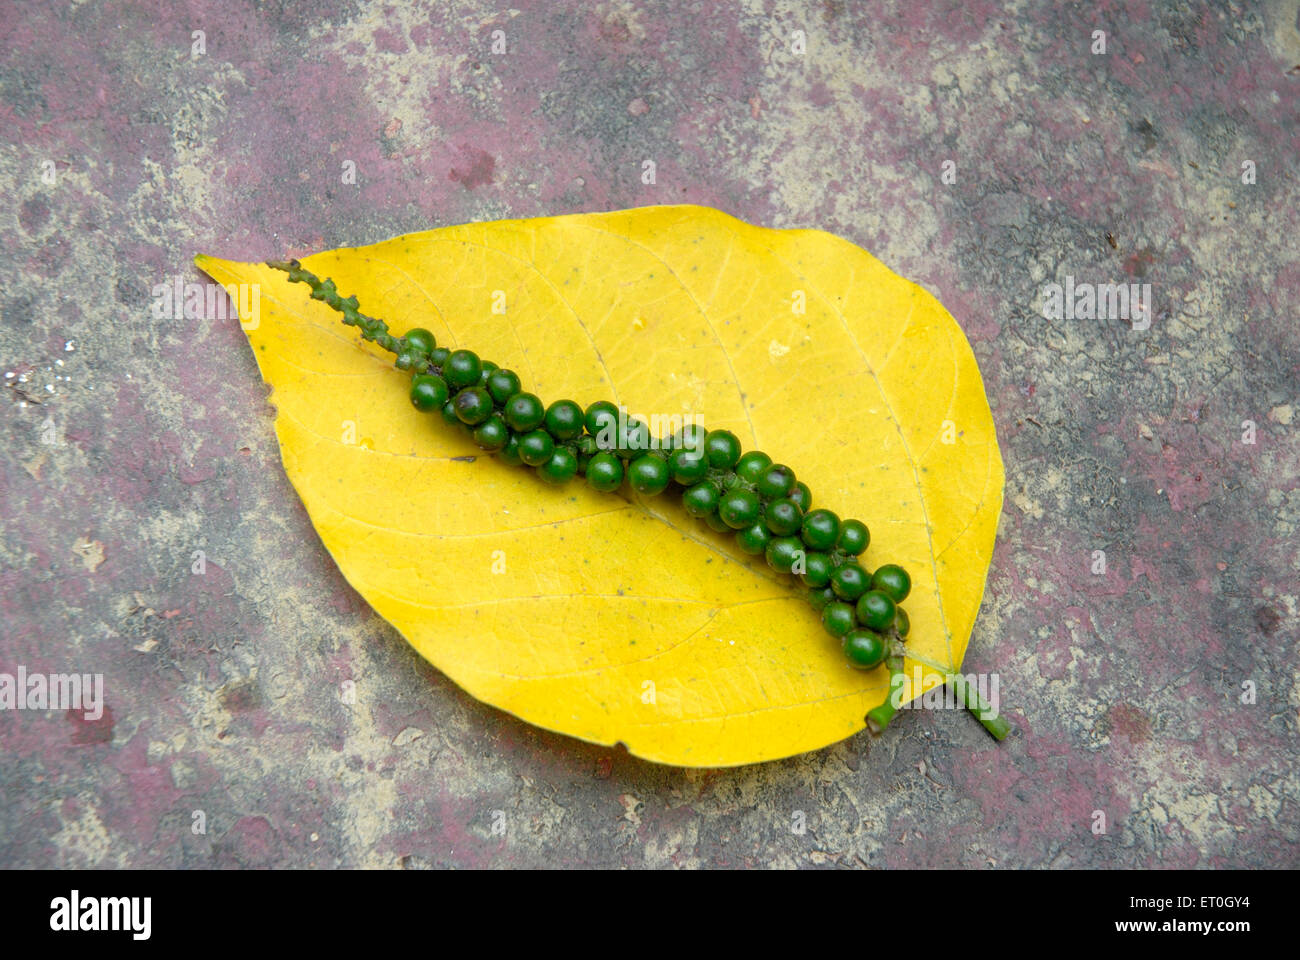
<point>609,617</point>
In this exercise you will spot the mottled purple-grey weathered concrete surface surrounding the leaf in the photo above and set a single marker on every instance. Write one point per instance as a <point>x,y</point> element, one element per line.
<point>129,444</point>
